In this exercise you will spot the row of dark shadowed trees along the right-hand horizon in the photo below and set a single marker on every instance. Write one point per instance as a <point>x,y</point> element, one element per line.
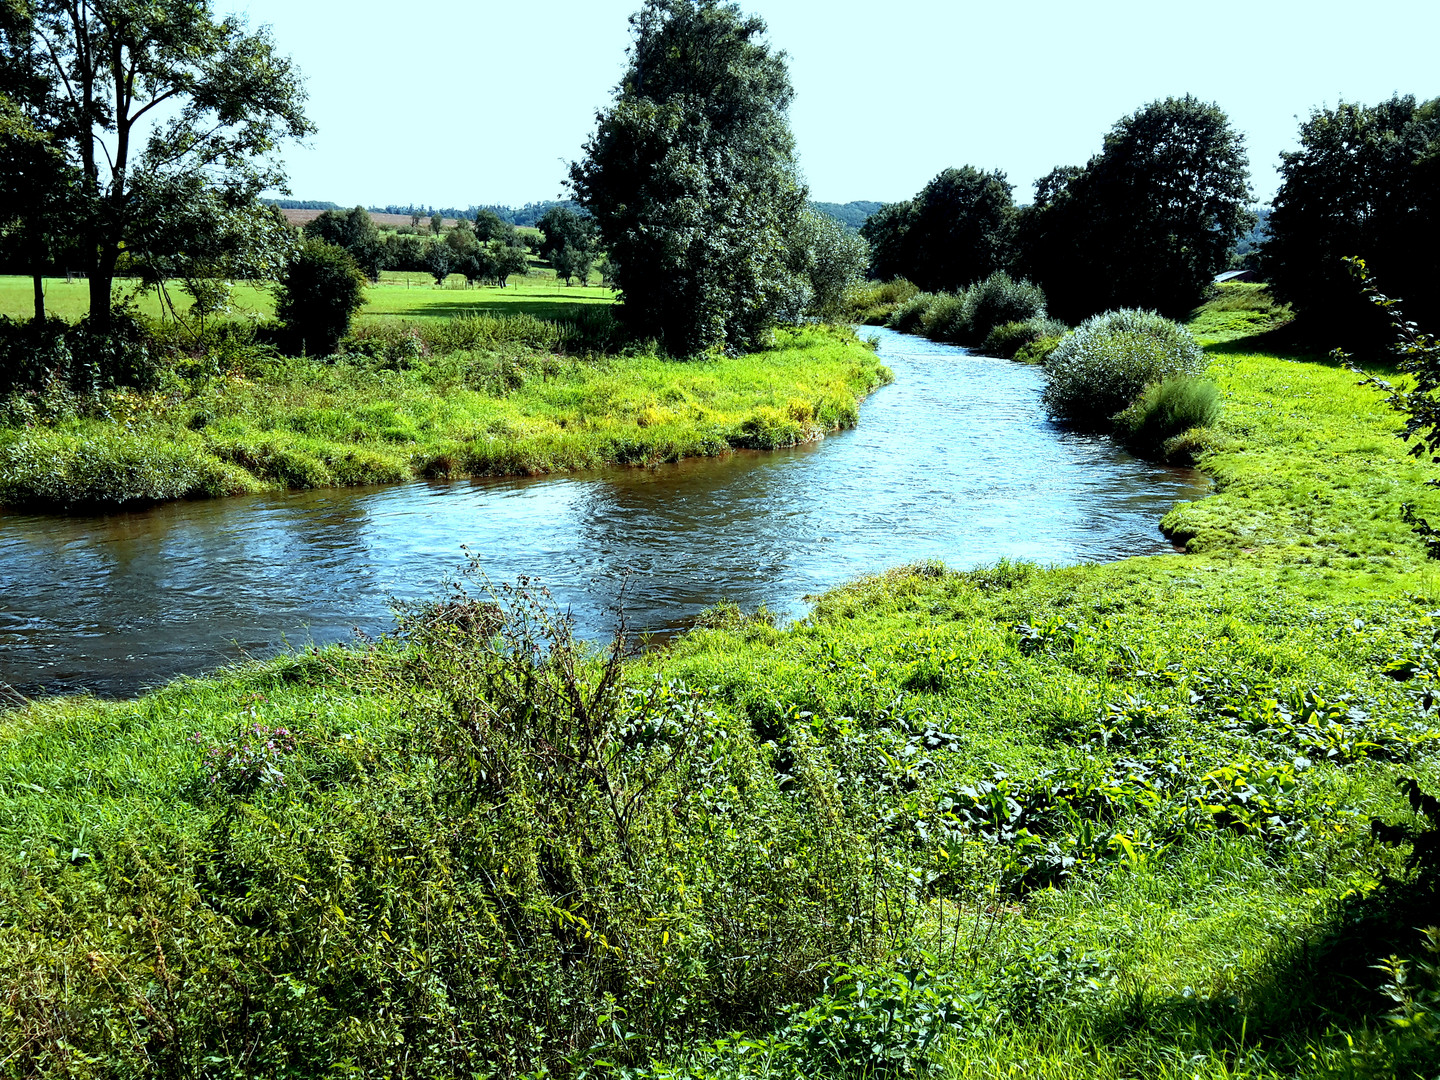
<point>1163,208</point>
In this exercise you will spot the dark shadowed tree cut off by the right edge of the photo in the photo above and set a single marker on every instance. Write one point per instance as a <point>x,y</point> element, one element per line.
<point>1364,184</point>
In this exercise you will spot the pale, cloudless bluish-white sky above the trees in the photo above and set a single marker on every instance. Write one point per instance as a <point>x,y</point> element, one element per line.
<point>454,103</point>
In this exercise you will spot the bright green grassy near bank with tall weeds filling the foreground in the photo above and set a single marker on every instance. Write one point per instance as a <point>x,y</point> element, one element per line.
<point>1105,822</point>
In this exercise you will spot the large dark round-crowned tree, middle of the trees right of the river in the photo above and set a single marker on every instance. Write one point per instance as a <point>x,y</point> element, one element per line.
<point>1150,221</point>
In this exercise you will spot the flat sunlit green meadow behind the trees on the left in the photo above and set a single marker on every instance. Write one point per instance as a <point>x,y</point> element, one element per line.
<point>395,296</point>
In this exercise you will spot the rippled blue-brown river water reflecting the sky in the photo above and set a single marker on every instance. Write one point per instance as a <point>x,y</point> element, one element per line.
<point>954,462</point>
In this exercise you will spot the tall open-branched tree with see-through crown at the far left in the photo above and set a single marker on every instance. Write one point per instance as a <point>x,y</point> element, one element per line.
<point>153,93</point>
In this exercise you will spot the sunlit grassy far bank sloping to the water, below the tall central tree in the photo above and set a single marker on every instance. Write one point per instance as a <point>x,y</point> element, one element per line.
<point>505,411</point>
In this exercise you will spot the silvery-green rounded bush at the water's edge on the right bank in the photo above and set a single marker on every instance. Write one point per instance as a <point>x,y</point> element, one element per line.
<point>1108,362</point>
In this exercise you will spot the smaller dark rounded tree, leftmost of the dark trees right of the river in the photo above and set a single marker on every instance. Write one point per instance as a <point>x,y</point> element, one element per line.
<point>957,231</point>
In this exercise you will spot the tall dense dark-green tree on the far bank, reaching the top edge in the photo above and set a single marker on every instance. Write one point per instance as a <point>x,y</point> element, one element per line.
<point>692,179</point>
